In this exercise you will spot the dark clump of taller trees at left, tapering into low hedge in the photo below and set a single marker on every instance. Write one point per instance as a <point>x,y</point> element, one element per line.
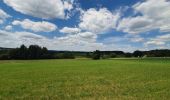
<point>32,52</point>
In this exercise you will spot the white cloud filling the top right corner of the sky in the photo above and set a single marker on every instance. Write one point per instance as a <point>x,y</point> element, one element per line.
<point>153,8</point>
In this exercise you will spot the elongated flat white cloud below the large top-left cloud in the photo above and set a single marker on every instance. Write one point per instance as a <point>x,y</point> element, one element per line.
<point>36,26</point>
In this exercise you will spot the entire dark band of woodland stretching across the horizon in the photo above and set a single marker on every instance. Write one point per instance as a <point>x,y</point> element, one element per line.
<point>37,52</point>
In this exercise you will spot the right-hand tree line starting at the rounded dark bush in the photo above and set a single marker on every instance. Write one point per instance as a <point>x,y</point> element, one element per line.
<point>137,54</point>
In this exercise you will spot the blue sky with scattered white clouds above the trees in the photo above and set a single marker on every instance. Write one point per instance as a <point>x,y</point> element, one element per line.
<point>86,25</point>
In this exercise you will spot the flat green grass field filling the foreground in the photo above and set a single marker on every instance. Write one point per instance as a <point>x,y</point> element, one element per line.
<point>140,79</point>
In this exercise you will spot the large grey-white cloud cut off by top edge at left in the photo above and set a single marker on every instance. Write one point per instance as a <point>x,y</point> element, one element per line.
<point>45,9</point>
